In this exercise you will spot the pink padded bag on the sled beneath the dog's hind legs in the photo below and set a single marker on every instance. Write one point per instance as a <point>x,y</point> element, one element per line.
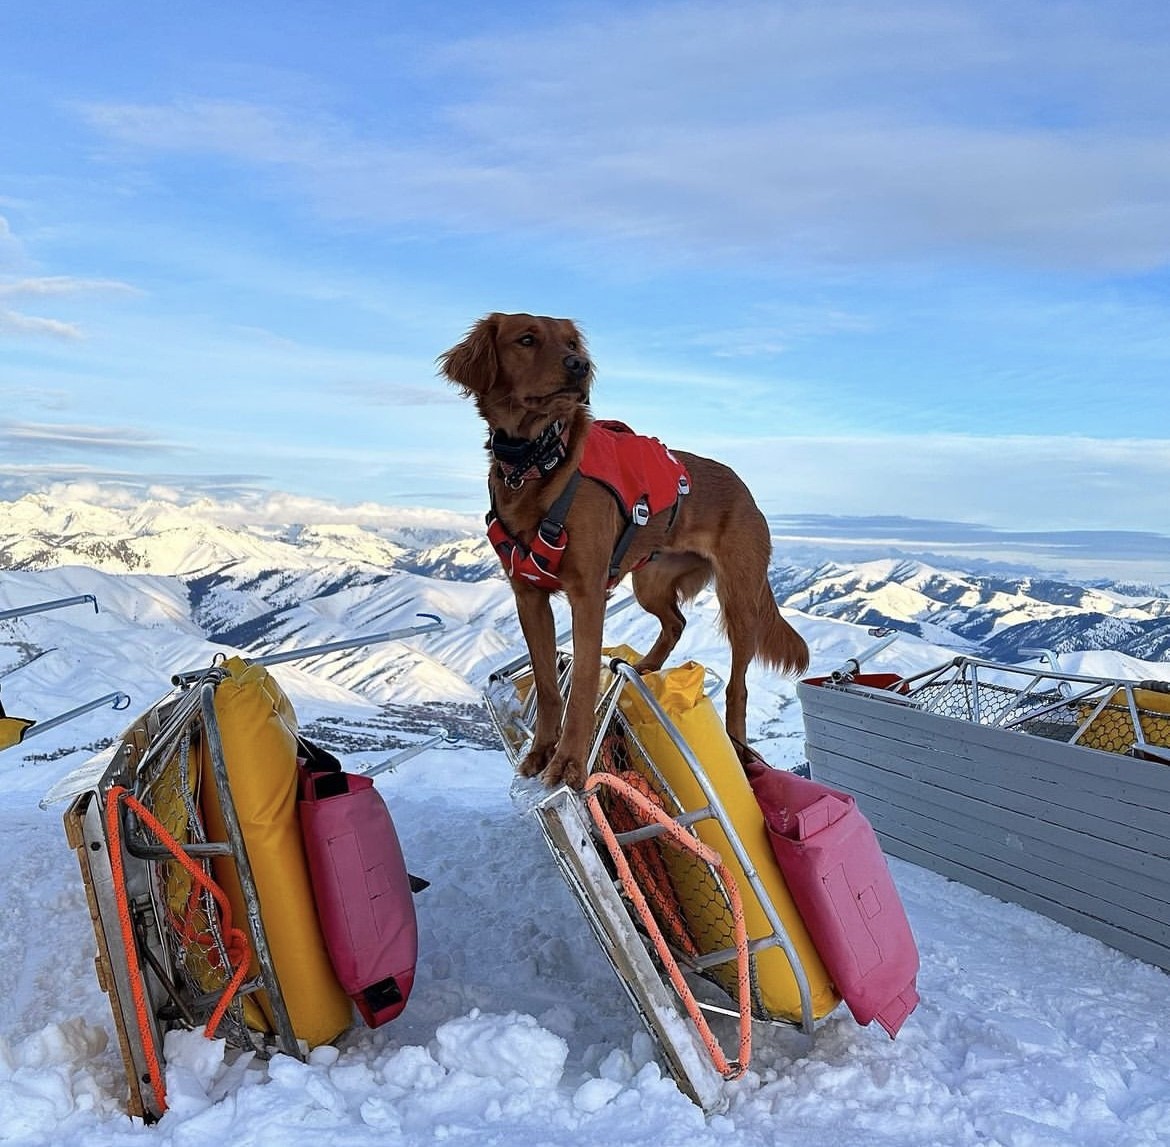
<point>841,883</point>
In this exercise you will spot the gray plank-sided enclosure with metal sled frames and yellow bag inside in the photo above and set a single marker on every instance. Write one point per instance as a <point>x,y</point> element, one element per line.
<point>1044,788</point>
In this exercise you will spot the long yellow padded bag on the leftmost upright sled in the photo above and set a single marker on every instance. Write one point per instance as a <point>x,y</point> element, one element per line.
<point>258,729</point>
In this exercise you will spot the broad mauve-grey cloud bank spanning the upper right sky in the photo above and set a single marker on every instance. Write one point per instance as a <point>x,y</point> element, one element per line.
<point>758,132</point>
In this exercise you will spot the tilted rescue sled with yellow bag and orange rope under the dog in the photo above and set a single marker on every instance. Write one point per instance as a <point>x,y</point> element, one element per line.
<point>670,856</point>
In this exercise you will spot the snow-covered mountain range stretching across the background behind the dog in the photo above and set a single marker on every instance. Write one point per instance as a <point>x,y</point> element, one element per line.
<point>182,585</point>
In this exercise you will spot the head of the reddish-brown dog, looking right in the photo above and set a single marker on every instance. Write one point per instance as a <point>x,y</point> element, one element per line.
<point>524,372</point>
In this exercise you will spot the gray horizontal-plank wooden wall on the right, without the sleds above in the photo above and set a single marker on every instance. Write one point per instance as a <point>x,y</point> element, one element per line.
<point>1079,835</point>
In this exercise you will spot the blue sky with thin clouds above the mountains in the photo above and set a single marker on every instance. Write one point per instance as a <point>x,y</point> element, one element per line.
<point>887,260</point>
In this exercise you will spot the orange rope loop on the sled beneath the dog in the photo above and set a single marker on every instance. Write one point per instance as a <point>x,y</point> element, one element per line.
<point>652,814</point>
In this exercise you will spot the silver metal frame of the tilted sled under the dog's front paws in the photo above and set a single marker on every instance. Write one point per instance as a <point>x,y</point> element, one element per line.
<point>576,834</point>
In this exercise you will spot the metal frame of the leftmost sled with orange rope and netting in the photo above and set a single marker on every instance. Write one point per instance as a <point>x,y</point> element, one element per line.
<point>162,973</point>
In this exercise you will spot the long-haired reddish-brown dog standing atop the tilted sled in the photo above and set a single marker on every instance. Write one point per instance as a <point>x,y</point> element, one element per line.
<point>531,379</point>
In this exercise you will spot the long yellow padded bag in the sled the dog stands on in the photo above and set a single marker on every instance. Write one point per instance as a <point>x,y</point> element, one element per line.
<point>680,692</point>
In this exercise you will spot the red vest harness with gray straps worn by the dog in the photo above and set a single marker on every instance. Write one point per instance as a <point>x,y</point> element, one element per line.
<point>642,475</point>
